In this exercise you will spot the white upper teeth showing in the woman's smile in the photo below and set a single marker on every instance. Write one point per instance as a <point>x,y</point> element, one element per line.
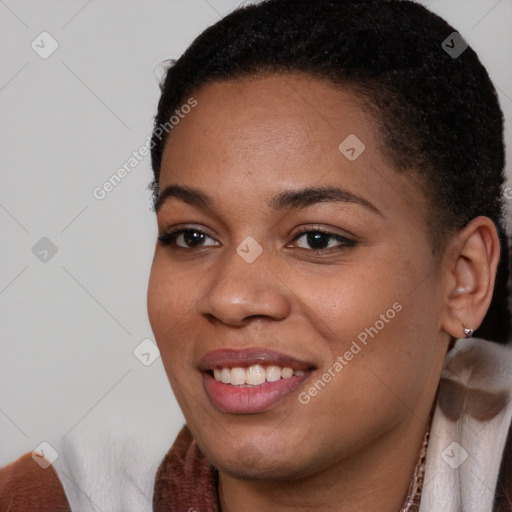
<point>254,375</point>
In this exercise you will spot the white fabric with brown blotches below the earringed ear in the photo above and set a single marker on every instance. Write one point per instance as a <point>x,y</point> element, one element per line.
<point>464,455</point>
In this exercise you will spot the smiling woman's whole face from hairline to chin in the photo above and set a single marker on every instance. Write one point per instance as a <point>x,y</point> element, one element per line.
<point>295,247</point>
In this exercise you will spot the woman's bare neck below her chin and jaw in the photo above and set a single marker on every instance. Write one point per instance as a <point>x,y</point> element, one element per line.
<point>376,478</point>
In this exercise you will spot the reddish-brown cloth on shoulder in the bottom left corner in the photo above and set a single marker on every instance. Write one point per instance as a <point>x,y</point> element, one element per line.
<point>26,487</point>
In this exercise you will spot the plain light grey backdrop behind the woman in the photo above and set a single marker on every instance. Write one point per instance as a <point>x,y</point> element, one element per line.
<point>74,269</point>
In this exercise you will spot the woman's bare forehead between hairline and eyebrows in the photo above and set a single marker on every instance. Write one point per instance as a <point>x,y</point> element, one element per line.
<point>257,135</point>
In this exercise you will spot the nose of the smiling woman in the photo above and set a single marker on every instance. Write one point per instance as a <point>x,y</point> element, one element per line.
<point>240,291</point>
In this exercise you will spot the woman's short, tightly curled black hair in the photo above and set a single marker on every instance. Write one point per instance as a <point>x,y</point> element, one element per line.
<point>437,113</point>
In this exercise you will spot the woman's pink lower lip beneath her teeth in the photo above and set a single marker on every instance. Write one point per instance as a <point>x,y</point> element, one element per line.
<point>250,399</point>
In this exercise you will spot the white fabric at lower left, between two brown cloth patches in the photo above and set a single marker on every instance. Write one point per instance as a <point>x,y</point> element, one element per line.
<point>111,468</point>
